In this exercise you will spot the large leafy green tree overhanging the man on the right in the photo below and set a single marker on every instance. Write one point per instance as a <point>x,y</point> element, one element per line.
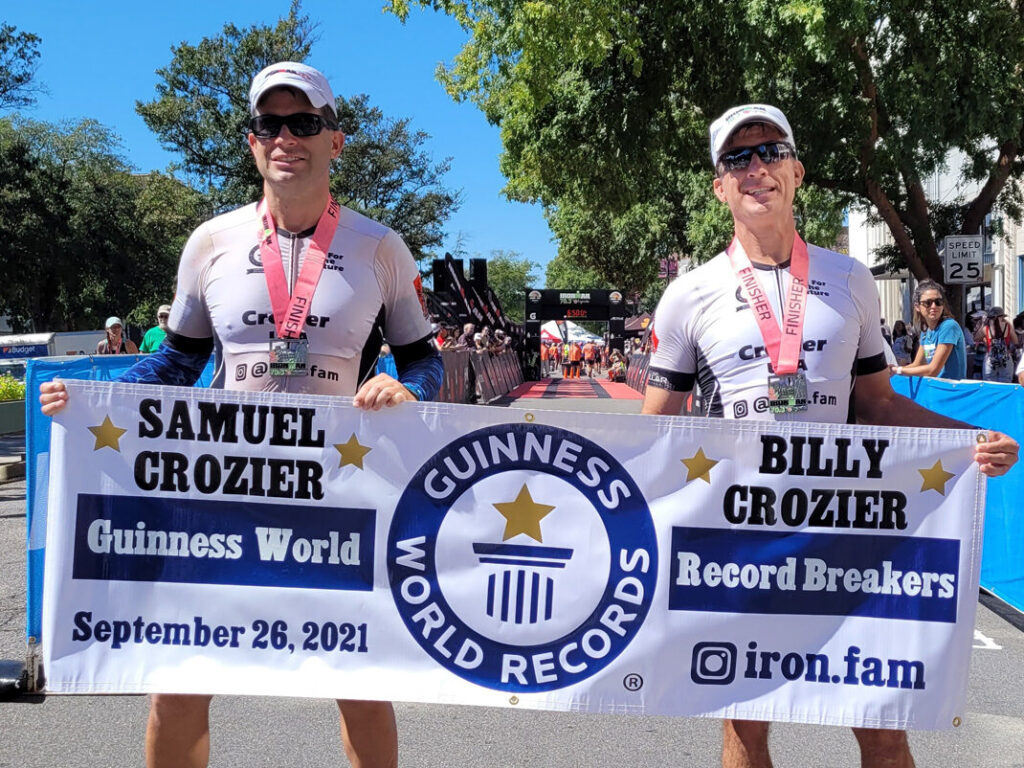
<point>607,103</point>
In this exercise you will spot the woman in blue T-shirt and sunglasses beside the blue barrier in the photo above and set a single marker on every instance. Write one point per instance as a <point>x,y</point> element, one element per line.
<point>943,352</point>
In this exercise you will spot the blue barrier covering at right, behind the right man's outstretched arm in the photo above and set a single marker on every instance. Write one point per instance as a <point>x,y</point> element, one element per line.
<point>999,407</point>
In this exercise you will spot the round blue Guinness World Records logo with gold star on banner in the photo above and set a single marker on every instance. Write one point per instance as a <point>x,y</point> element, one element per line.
<point>523,558</point>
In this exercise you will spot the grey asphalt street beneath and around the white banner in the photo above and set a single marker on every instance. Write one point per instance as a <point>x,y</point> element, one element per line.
<point>59,732</point>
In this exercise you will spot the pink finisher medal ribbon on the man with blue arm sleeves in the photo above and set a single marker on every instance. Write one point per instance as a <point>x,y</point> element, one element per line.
<point>290,313</point>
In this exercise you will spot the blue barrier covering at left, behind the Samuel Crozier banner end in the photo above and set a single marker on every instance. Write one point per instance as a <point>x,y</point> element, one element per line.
<point>37,451</point>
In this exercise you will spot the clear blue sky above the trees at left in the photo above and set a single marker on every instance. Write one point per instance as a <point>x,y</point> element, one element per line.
<point>99,59</point>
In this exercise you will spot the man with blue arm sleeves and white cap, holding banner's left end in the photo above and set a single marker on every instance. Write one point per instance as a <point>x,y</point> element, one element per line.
<point>297,294</point>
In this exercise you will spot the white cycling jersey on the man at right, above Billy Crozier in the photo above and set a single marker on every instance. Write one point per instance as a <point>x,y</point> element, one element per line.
<point>704,329</point>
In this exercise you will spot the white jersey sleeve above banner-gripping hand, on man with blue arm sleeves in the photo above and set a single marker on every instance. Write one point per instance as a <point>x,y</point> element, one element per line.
<point>406,310</point>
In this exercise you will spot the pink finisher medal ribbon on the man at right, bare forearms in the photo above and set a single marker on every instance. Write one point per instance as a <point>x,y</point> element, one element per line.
<point>782,343</point>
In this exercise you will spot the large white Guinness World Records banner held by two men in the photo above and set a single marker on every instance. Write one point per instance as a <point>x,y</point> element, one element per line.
<point>204,541</point>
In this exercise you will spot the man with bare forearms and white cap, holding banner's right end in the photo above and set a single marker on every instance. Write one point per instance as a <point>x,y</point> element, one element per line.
<point>721,326</point>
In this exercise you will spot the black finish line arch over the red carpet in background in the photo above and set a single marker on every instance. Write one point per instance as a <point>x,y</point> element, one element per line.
<point>581,306</point>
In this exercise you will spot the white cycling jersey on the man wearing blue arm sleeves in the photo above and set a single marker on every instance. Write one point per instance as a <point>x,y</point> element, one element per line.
<point>370,283</point>
